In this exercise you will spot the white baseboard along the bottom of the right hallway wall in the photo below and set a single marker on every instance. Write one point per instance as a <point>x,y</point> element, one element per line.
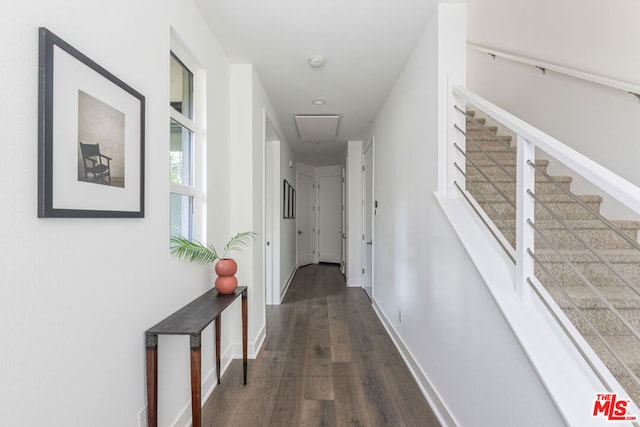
<point>437,405</point>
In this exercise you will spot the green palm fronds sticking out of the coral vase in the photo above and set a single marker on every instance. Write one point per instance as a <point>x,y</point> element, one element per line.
<point>207,254</point>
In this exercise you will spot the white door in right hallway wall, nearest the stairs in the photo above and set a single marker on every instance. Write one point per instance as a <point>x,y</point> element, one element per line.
<point>368,209</point>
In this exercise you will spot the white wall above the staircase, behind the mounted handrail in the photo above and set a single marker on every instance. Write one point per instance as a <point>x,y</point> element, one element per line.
<point>594,36</point>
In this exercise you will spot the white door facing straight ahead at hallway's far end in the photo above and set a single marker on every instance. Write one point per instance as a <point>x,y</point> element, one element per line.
<point>330,219</point>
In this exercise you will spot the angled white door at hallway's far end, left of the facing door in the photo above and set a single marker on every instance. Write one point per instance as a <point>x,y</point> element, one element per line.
<point>304,218</point>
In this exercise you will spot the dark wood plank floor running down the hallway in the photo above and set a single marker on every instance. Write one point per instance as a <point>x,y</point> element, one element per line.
<point>327,361</point>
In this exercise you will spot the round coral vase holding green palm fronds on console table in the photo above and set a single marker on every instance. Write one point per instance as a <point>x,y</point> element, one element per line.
<point>226,268</point>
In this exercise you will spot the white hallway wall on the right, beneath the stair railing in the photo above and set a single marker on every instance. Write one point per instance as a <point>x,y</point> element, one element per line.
<point>466,355</point>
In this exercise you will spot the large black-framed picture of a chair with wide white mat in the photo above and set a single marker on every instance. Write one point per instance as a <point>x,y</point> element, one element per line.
<point>90,137</point>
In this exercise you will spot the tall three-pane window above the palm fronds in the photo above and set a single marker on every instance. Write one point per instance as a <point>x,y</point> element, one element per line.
<point>182,127</point>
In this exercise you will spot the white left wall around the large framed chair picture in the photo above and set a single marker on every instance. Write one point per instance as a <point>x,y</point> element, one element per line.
<point>76,295</point>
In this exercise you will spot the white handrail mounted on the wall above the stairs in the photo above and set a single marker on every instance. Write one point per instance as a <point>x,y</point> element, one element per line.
<point>593,78</point>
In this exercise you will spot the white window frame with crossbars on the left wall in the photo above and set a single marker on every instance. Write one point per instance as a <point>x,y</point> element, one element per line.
<point>198,156</point>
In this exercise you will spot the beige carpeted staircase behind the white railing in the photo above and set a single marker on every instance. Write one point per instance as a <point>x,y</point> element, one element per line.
<point>563,264</point>
